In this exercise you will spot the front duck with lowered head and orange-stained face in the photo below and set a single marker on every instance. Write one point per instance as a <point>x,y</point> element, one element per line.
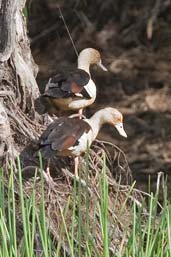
<point>69,136</point>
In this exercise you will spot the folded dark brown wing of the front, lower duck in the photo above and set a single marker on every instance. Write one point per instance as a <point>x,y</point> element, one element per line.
<point>62,134</point>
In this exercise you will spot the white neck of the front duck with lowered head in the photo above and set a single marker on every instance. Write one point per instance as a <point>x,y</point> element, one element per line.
<point>96,122</point>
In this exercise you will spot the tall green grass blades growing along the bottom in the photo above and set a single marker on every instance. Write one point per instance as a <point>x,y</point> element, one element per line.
<point>145,232</point>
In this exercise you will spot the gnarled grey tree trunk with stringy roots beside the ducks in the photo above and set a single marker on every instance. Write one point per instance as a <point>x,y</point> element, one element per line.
<point>18,87</point>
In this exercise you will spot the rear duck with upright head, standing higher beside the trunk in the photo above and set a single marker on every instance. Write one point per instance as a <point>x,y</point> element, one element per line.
<point>74,90</point>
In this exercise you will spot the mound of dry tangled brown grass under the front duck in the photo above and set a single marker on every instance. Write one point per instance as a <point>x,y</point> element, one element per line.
<point>65,192</point>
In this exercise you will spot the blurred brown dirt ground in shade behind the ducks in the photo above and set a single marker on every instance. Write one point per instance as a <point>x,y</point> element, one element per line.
<point>134,38</point>
